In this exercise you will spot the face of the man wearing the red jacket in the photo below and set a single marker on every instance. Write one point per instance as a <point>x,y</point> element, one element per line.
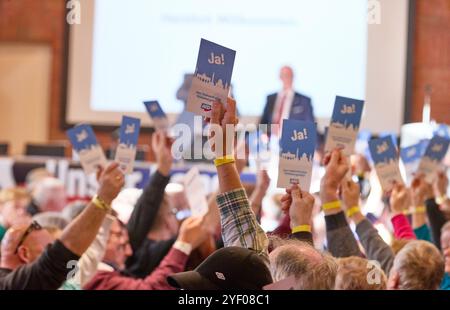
<point>118,247</point>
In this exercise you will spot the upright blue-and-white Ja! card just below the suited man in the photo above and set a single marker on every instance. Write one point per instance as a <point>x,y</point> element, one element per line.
<point>297,146</point>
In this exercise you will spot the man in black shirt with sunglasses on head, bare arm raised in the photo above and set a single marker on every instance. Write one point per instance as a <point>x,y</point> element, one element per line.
<point>32,259</point>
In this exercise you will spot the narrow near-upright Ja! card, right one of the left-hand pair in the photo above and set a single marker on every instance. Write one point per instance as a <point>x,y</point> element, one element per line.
<point>128,139</point>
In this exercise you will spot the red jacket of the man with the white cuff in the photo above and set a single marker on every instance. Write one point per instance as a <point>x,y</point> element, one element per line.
<point>174,262</point>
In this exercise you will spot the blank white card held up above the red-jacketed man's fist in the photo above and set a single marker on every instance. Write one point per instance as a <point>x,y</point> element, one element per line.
<point>195,192</point>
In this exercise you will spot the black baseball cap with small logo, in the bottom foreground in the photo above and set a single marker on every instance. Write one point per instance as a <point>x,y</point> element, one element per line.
<point>226,269</point>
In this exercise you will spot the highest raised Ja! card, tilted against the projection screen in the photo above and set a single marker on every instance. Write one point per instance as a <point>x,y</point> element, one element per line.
<point>212,77</point>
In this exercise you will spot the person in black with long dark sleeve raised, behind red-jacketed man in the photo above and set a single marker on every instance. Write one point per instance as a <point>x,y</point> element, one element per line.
<point>152,227</point>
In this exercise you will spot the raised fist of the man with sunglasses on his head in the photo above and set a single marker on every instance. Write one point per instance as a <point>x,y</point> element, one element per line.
<point>111,181</point>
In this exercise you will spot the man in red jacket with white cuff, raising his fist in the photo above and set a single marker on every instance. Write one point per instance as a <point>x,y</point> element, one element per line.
<point>111,275</point>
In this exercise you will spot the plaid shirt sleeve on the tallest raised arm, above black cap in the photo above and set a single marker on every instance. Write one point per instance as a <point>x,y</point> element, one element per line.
<point>239,224</point>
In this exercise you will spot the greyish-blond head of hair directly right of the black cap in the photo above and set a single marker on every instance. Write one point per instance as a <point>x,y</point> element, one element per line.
<point>312,269</point>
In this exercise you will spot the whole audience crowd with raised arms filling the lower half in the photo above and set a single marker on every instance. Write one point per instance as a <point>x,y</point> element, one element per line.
<point>49,244</point>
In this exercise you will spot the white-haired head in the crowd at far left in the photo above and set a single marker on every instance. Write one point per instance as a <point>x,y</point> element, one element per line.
<point>50,195</point>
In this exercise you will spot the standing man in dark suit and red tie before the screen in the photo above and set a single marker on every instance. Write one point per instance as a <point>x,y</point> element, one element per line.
<point>287,104</point>
